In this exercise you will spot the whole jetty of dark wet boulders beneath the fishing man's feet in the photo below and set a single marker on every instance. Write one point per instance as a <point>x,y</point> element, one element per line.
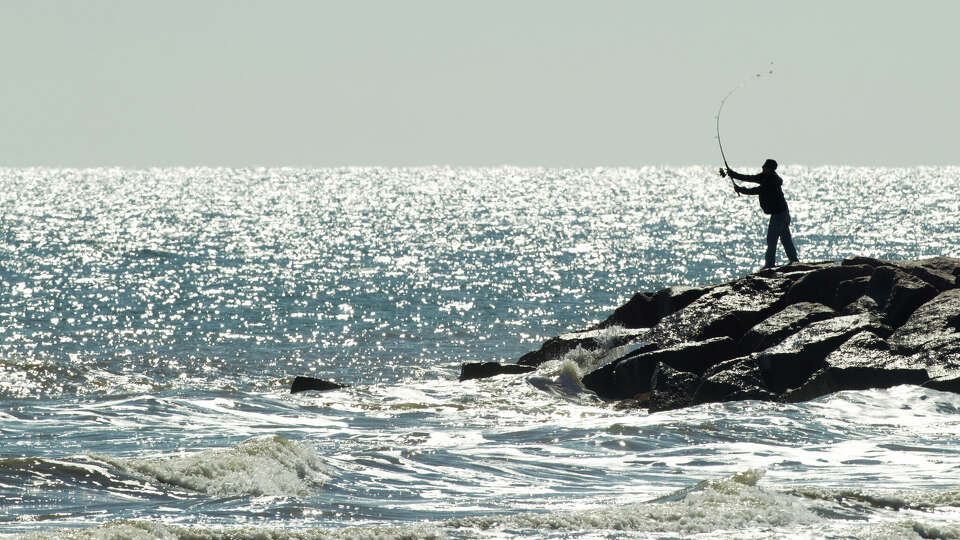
<point>788,334</point>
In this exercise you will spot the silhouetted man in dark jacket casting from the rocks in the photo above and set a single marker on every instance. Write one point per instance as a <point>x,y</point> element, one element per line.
<point>772,203</point>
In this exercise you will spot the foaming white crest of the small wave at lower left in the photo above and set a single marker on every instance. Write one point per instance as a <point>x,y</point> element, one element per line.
<point>261,466</point>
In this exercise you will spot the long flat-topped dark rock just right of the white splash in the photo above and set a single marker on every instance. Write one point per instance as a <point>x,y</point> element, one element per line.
<point>631,375</point>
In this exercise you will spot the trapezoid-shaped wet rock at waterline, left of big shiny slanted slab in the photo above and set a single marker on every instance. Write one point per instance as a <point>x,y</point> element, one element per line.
<point>736,379</point>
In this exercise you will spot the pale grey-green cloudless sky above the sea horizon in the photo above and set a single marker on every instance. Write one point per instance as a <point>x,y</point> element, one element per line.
<point>481,83</point>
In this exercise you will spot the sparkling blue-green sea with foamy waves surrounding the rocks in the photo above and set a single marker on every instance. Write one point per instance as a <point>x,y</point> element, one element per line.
<point>151,323</point>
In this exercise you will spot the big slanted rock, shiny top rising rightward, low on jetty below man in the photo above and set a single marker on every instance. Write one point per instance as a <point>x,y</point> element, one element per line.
<point>789,364</point>
